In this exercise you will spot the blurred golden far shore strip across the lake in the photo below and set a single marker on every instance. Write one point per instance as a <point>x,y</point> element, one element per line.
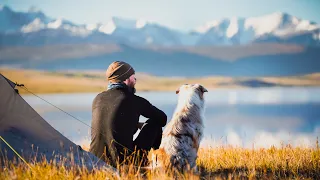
<point>75,82</point>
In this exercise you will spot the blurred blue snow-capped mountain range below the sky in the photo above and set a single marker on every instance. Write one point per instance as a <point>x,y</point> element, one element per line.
<point>35,28</point>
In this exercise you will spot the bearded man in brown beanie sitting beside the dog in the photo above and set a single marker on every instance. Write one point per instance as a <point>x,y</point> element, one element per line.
<point>115,119</point>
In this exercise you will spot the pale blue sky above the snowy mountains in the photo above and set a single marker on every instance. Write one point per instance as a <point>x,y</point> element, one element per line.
<point>177,14</point>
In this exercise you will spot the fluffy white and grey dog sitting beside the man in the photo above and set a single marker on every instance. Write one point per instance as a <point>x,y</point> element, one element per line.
<point>182,135</point>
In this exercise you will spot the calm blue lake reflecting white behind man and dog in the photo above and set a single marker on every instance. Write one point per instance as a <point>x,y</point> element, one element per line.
<point>247,118</point>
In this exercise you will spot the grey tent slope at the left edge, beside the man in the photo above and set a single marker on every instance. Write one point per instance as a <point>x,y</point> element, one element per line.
<point>32,137</point>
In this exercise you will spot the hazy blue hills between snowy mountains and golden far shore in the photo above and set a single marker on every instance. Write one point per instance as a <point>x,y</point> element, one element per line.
<point>267,60</point>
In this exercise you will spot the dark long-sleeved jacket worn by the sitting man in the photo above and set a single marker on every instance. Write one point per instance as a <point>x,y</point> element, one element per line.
<point>115,116</point>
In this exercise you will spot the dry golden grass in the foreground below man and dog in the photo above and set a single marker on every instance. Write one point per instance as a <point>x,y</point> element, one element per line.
<point>220,163</point>
